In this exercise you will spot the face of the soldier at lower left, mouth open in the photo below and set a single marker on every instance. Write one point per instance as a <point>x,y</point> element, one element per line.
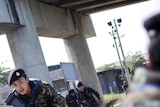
<point>22,86</point>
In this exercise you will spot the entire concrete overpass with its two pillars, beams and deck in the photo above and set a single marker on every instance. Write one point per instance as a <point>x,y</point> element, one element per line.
<point>24,20</point>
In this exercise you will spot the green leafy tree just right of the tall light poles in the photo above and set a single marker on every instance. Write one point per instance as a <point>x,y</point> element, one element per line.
<point>136,60</point>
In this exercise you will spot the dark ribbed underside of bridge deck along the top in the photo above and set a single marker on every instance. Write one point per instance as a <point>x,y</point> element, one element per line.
<point>90,6</point>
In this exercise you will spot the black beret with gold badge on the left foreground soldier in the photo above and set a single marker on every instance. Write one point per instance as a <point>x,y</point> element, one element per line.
<point>15,75</point>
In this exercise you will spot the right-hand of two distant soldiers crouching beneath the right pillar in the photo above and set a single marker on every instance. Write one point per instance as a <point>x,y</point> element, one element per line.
<point>86,96</point>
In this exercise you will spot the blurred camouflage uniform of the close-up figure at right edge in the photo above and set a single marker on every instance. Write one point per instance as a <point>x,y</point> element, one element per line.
<point>143,93</point>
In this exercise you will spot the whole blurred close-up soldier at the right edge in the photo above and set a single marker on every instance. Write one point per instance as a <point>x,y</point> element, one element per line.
<point>145,90</point>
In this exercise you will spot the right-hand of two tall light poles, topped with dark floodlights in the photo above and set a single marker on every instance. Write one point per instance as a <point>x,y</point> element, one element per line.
<point>114,28</point>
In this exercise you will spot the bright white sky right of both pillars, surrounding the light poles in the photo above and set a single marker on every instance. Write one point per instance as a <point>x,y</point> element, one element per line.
<point>134,39</point>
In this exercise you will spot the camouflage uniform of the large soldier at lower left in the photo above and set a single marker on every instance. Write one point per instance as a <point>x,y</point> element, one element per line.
<point>43,96</point>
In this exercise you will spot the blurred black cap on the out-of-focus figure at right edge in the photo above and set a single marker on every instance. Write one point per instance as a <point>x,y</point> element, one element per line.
<point>153,24</point>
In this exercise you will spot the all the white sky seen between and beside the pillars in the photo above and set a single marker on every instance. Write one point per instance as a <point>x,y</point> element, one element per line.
<point>101,46</point>
